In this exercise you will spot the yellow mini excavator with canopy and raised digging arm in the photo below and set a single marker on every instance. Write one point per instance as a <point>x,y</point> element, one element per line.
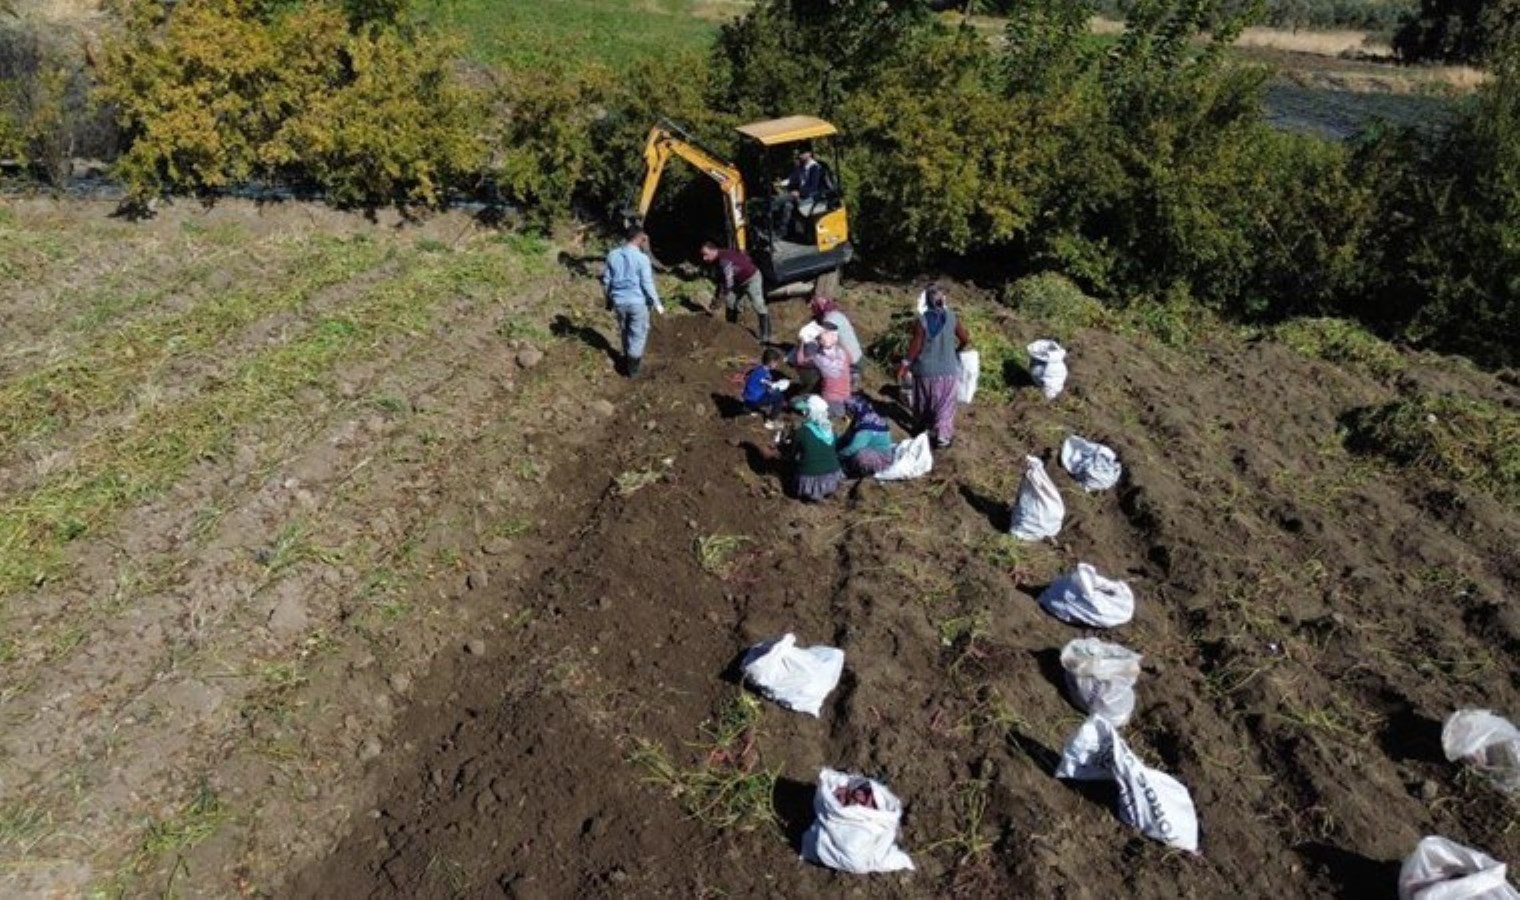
<point>791,241</point>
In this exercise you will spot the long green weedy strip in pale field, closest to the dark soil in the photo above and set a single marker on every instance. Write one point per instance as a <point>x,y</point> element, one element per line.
<point>133,461</point>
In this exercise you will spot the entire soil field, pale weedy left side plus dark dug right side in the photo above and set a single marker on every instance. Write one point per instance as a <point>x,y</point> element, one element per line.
<point>379,601</point>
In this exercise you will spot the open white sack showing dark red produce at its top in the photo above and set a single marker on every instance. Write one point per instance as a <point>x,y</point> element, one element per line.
<point>855,838</point>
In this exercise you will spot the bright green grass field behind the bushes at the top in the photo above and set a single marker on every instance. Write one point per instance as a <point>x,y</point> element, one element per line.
<point>539,34</point>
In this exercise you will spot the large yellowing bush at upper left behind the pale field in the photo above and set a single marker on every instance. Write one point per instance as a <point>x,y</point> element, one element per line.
<point>218,92</point>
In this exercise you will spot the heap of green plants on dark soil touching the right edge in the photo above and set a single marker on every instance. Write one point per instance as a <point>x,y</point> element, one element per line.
<point>1461,439</point>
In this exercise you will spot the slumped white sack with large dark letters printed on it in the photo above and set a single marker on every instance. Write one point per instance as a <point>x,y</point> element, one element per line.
<point>1150,800</point>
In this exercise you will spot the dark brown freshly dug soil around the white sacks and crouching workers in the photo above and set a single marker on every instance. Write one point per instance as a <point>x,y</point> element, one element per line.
<point>1308,624</point>
